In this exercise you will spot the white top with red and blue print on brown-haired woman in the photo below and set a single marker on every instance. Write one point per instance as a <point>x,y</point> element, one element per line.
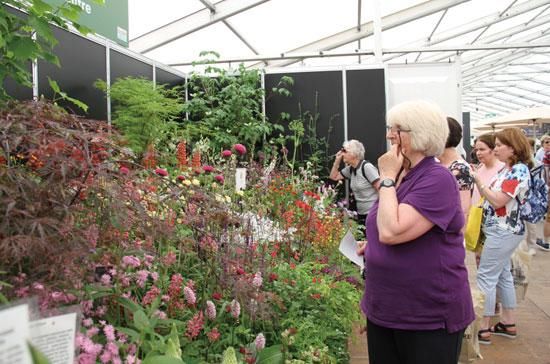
<point>515,183</point>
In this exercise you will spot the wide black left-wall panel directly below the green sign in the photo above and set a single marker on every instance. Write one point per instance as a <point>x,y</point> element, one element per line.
<point>82,63</point>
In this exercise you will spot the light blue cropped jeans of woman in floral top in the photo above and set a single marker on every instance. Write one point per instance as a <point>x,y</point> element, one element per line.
<point>494,270</point>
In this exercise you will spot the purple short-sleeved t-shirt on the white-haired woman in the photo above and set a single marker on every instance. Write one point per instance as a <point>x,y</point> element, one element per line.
<point>421,284</point>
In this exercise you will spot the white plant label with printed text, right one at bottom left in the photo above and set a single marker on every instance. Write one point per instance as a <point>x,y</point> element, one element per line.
<point>55,337</point>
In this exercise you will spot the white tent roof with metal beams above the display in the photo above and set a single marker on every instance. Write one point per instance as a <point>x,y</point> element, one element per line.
<point>504,46</point>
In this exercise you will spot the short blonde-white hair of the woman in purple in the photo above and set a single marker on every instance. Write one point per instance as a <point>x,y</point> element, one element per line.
<point>427,124</point>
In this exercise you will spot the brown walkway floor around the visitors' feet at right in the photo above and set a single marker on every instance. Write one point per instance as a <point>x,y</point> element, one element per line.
<point>532,346</point>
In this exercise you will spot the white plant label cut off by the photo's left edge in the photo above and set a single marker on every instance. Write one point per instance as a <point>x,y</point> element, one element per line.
<point>14,334</point>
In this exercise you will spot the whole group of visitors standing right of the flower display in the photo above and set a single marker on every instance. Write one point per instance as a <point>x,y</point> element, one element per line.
<point>417,297</point>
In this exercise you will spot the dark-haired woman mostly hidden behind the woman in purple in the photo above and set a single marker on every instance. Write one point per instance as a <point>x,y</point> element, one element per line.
<point>457,165</point>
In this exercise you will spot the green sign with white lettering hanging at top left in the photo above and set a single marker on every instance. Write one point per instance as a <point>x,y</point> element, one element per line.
<point>109,19</point>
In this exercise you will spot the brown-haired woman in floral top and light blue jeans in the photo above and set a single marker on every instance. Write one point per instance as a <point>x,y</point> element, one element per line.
<point>503,230</point>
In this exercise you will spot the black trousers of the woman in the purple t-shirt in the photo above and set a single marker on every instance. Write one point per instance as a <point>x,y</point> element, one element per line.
<point>392,346</point>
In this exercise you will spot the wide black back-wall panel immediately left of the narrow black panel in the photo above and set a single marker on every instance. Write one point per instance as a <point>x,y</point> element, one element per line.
<point>312,93</point>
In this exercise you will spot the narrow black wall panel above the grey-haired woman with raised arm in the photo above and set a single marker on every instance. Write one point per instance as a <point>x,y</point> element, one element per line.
<point>366,105</point>
